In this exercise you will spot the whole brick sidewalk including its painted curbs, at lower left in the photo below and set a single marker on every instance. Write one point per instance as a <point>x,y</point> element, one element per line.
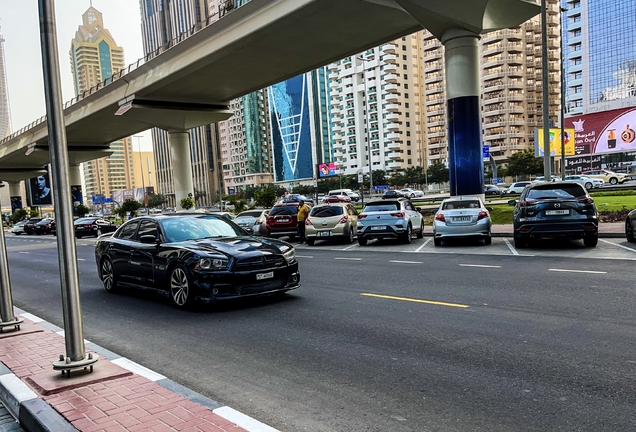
<point>119,395</point>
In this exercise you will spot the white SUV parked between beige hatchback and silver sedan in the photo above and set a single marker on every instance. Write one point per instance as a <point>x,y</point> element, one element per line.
<point>389,218</point>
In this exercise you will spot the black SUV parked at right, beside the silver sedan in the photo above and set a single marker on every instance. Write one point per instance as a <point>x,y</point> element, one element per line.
<point>561,209</point>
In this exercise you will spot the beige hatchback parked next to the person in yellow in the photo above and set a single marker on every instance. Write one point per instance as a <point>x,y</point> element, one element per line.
<point>331,221</point>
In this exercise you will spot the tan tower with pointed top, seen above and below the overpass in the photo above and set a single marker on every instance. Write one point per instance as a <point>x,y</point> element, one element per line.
<point>95,56</point>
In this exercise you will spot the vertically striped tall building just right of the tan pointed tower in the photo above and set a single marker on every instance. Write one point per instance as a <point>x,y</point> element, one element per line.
<point>162,22</point>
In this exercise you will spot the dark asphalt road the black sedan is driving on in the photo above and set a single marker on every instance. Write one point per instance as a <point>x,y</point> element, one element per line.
<point>382,340</point>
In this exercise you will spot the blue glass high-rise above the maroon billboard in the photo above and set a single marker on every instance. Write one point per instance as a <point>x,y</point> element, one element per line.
<point>599,39</point>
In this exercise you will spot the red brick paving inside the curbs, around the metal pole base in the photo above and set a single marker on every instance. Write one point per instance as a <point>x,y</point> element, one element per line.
<point>130,403</point>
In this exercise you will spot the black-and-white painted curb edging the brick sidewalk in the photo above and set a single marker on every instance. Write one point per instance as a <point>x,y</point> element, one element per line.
<point>35,415</point>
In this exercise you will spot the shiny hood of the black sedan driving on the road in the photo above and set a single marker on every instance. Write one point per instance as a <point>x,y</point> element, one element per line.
<point>237,246</point>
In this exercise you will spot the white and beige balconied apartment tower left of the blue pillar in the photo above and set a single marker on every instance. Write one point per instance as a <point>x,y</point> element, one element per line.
<point>377,107</point>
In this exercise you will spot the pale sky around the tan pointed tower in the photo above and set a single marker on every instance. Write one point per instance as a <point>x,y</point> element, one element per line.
<point>19,26</point>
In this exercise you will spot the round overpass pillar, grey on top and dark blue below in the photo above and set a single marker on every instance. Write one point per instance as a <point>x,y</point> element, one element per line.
<point>465,157</point>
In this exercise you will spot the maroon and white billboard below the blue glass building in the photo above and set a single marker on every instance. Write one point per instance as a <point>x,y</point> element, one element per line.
<point>604,132</point>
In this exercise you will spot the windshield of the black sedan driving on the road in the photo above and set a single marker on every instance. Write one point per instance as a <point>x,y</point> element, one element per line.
<point>182,228</point>
